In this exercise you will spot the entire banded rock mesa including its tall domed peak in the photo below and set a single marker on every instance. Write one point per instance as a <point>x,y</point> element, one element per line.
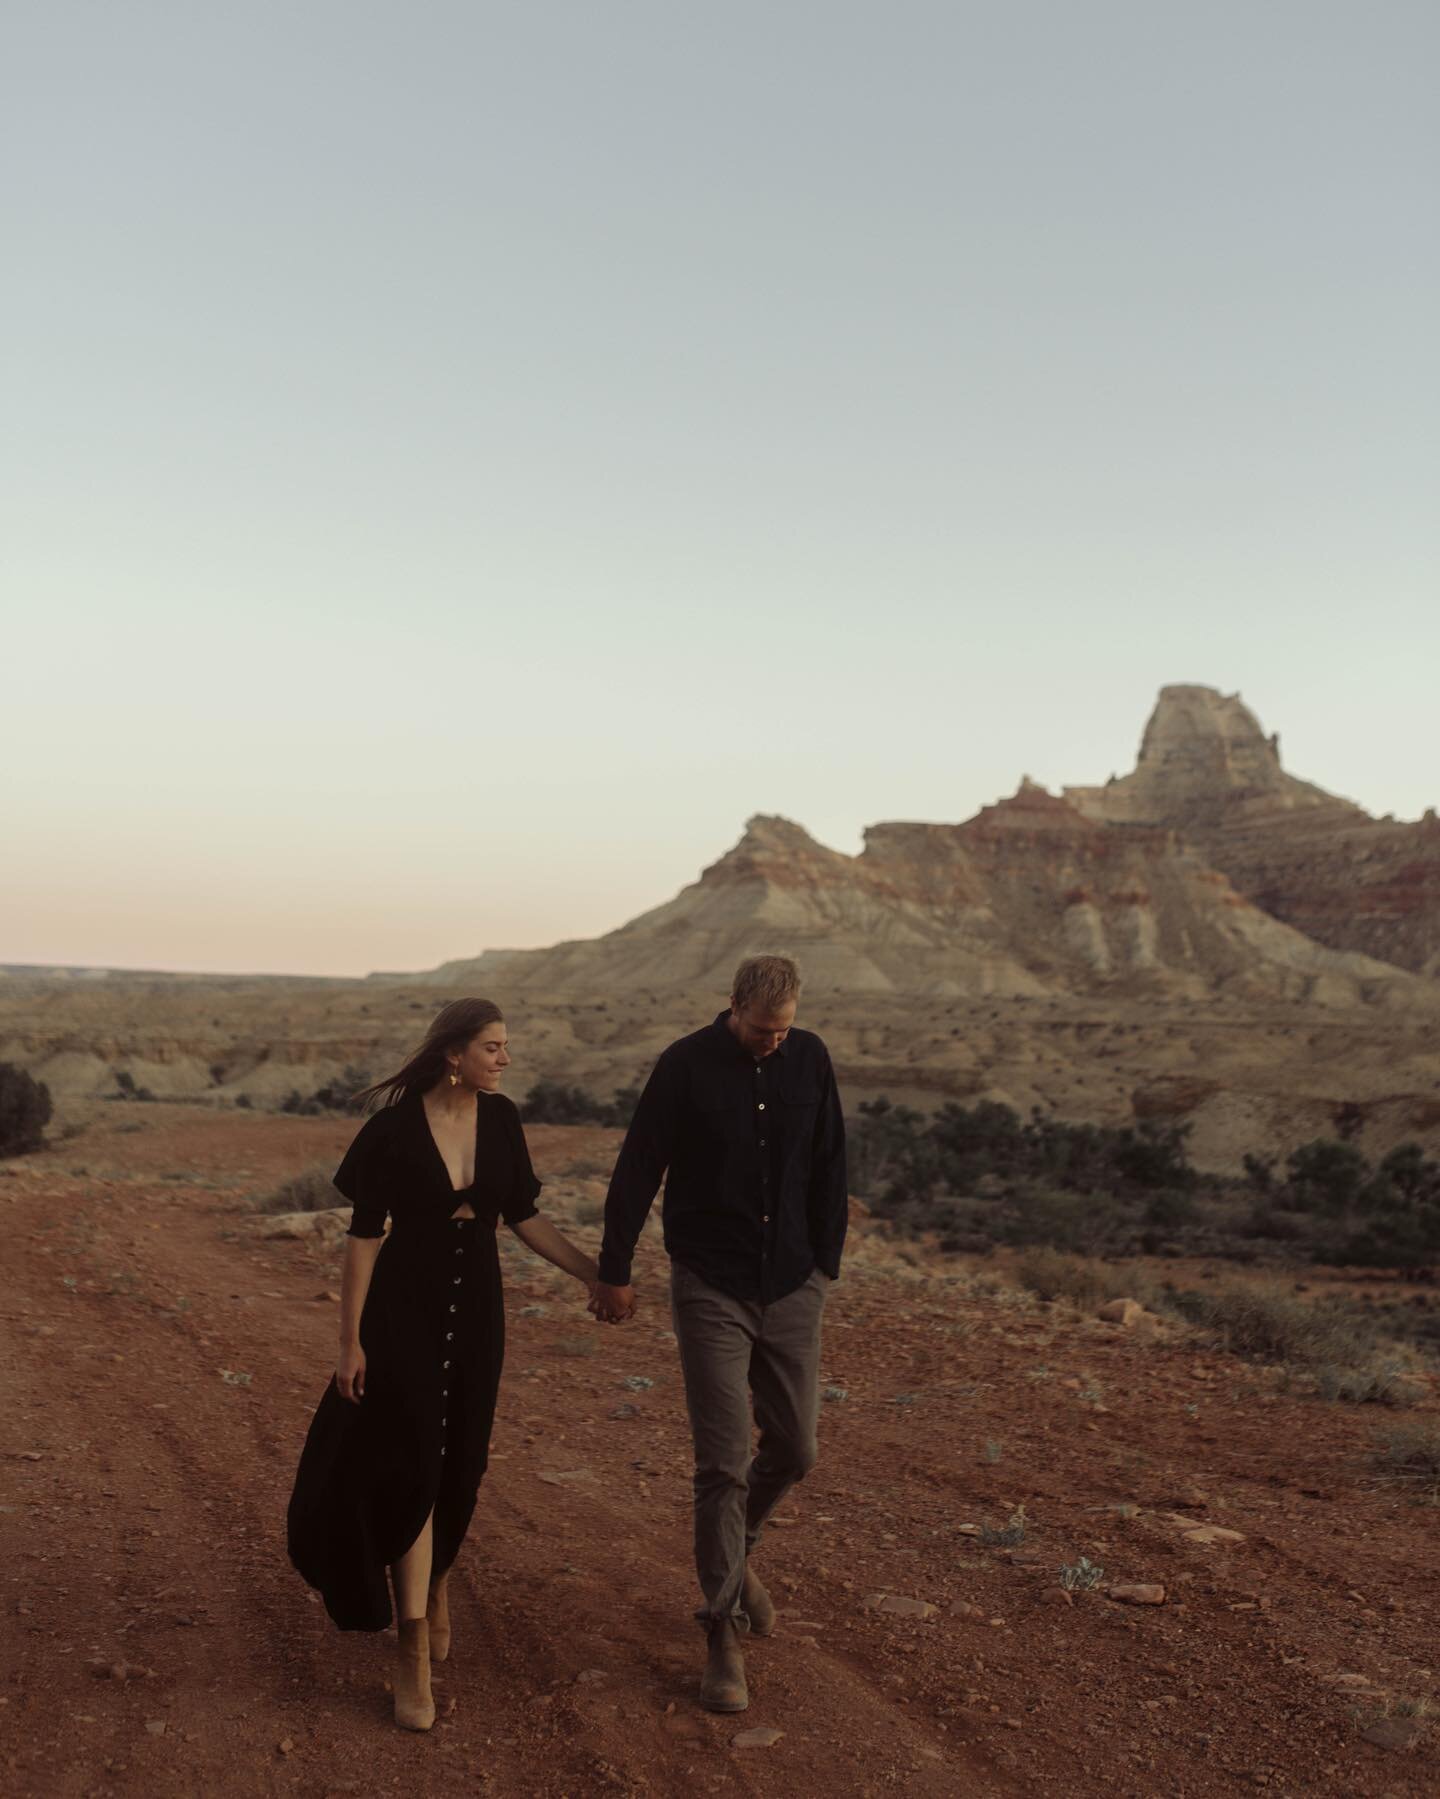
<point>1207,872</point>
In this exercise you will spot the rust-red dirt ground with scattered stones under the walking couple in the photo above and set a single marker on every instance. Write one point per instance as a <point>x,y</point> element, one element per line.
<point>157,1640</point>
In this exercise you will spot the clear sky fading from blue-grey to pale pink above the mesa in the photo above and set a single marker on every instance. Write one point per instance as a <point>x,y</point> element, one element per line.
<point>460,461</point>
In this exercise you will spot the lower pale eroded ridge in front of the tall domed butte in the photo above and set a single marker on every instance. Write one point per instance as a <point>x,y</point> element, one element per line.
<point>1034,897</point>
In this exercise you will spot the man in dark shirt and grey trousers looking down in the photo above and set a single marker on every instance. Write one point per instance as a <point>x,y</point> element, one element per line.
<point>746,1120</point>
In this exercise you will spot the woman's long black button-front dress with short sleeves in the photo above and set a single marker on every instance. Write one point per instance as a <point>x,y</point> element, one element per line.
<point>433,1332</point>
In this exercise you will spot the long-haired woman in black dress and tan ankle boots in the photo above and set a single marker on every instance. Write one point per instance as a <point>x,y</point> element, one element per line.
<point>400,1440</point>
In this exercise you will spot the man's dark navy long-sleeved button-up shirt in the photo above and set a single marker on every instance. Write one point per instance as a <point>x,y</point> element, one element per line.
<point>751,1152</point>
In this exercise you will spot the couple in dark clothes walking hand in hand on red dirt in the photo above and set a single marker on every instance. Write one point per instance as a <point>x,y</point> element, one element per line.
<point>742,1123</point>
